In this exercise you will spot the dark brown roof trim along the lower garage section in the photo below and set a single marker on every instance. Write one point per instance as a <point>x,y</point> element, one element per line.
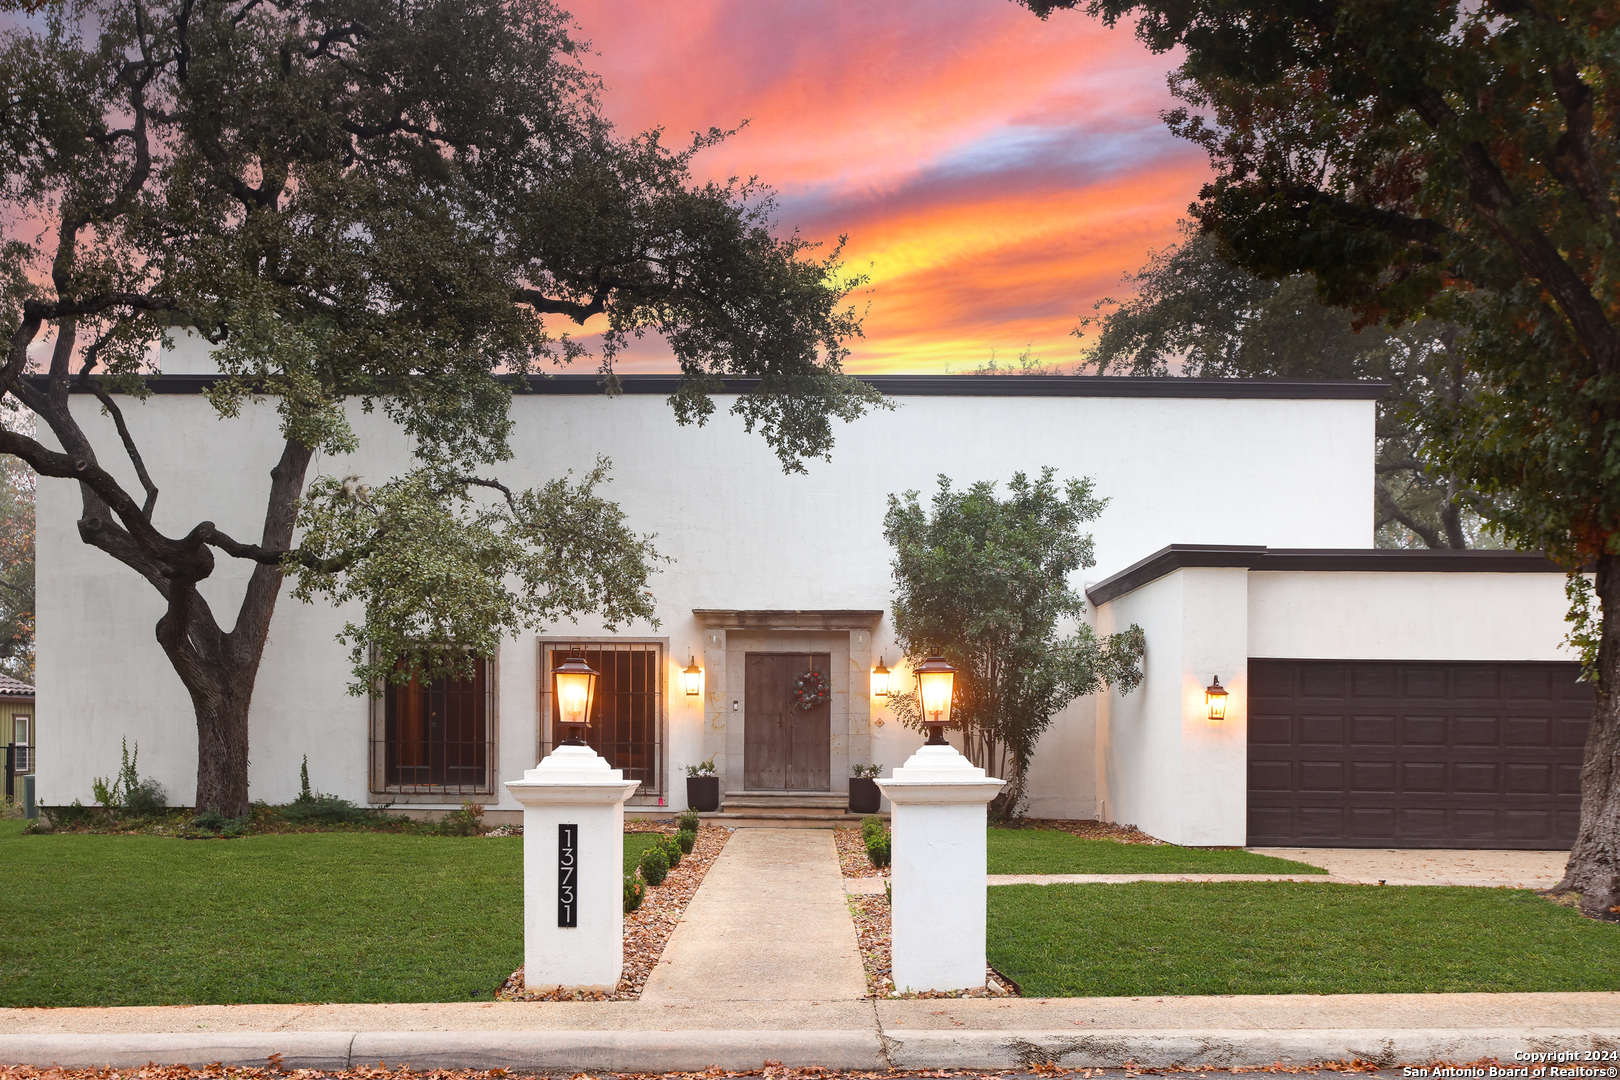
<point>1318,561</point>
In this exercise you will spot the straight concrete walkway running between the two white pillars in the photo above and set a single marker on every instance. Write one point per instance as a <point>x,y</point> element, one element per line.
<point>769,924</point>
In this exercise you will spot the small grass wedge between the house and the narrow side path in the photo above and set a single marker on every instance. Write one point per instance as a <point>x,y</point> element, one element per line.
<point>1057,853</point>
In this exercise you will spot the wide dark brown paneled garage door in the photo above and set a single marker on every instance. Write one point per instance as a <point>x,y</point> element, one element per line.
<point>1360,754</point>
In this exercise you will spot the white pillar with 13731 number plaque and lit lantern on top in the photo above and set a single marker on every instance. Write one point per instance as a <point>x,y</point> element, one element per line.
<point>573,854</point>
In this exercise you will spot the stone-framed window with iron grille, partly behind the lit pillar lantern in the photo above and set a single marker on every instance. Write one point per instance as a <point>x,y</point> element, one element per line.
<point>628,715</point>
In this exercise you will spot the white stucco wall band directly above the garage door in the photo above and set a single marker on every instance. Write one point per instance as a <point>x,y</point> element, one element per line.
<point>1407,616</point>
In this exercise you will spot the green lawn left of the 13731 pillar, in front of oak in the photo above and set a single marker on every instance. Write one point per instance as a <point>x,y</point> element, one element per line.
<point>111,921</point>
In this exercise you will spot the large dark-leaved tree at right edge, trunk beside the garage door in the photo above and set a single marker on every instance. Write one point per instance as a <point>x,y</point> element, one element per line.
<point>1457,161</point>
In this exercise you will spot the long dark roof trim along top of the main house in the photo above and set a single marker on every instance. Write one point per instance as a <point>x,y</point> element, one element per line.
<point>927,386</point>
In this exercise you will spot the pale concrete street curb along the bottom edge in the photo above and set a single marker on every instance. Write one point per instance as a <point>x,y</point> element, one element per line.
<point>848,1050</point>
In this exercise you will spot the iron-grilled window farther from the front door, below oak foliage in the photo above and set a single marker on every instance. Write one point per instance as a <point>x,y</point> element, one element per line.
<point>435,738</point>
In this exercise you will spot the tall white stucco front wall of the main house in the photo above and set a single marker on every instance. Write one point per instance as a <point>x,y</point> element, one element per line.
<point>741,534</point>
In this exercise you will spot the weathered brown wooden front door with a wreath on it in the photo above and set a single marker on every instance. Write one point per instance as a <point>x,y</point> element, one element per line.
<point>785,747</point>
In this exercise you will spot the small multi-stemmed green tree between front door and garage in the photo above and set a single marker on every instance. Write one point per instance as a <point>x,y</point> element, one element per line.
<point>986,584</point>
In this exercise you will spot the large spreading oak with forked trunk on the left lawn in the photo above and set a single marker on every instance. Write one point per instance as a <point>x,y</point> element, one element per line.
<point>385,205</point>
